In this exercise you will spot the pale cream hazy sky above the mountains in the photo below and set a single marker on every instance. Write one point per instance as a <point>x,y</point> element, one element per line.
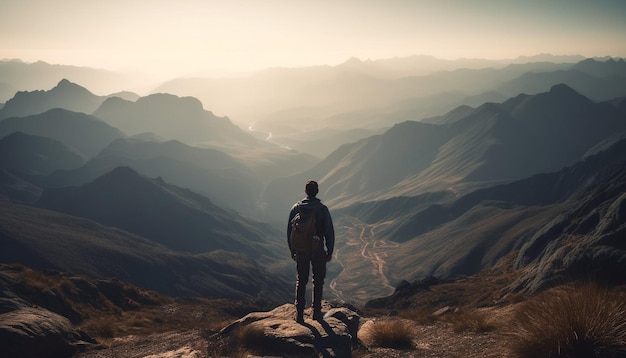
<point>179,37</point>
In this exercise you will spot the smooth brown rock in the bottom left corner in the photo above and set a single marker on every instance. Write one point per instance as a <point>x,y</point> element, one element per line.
<point>37,332</point>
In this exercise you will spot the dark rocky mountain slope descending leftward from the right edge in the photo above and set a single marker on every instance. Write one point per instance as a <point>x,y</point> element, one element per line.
<point>569,212</point>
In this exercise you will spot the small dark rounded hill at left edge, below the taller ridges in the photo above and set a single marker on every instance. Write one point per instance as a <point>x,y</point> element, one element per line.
<point>35,155</point>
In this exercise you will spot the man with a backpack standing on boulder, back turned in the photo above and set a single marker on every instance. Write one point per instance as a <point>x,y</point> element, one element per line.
<point>317,257</point>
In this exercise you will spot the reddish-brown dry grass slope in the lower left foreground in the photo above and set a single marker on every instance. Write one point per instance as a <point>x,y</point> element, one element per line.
<point>136,311</point>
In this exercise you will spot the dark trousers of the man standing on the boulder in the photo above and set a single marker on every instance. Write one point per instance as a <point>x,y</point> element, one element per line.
<point>304,263</point>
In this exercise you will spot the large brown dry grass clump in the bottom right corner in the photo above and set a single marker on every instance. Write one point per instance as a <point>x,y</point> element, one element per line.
<point>571,321</point>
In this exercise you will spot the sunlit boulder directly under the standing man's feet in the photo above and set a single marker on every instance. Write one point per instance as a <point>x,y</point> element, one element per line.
<point>276,333</point>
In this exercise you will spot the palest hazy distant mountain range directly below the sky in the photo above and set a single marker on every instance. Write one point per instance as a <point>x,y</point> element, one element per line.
<point>299,105</point>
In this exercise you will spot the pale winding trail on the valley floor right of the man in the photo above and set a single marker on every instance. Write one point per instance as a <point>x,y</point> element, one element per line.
<point>363,259</point>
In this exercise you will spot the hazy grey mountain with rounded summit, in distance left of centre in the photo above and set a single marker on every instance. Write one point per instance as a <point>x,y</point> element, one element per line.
<point>172,117</point>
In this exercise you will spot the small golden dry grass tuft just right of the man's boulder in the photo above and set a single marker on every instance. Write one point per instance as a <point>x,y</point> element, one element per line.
<point>388,333</point>
